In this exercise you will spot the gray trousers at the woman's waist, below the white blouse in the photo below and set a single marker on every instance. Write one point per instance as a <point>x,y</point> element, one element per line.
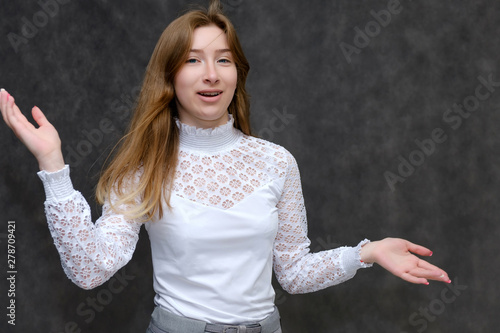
<point>165,322</point>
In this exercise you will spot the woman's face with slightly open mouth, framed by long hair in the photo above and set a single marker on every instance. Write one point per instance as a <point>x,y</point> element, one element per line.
<point>205,84</point>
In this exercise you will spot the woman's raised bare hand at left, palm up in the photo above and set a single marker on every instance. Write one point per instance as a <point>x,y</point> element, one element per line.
<point>43,142</point>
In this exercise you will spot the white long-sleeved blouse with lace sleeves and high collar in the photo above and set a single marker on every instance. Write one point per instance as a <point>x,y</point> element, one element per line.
<point>237,212</point>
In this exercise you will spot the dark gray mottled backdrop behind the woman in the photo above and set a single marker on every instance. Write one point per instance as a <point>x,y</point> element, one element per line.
<point>348,124</point>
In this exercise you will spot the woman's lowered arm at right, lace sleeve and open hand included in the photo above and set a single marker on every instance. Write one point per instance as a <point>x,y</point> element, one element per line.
<point>300,271</point>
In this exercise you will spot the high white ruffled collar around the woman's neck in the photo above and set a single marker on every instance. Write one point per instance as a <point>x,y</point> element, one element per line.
<point>208,140</point>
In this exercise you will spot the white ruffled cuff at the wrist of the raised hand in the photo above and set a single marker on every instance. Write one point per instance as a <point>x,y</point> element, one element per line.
<point>57,185</point>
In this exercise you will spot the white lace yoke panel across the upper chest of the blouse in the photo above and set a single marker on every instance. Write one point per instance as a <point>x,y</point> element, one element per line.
<point>222,180</point>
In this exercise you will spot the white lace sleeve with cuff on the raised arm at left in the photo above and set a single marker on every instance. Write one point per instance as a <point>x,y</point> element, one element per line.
<point>90,253</point>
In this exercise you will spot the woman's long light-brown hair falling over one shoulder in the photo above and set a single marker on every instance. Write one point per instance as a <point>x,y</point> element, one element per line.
<point>140,175</point>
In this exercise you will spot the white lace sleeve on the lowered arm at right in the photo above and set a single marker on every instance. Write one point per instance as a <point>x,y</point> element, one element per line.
<point>298,270</point>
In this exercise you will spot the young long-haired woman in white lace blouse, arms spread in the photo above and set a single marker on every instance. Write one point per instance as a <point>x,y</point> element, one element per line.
<point>222,208</point>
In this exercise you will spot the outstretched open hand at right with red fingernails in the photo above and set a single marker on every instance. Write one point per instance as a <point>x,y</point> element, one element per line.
<point>396,256</point>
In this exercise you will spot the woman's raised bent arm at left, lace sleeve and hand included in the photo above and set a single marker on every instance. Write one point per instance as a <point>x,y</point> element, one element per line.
<point>90,254</point>
